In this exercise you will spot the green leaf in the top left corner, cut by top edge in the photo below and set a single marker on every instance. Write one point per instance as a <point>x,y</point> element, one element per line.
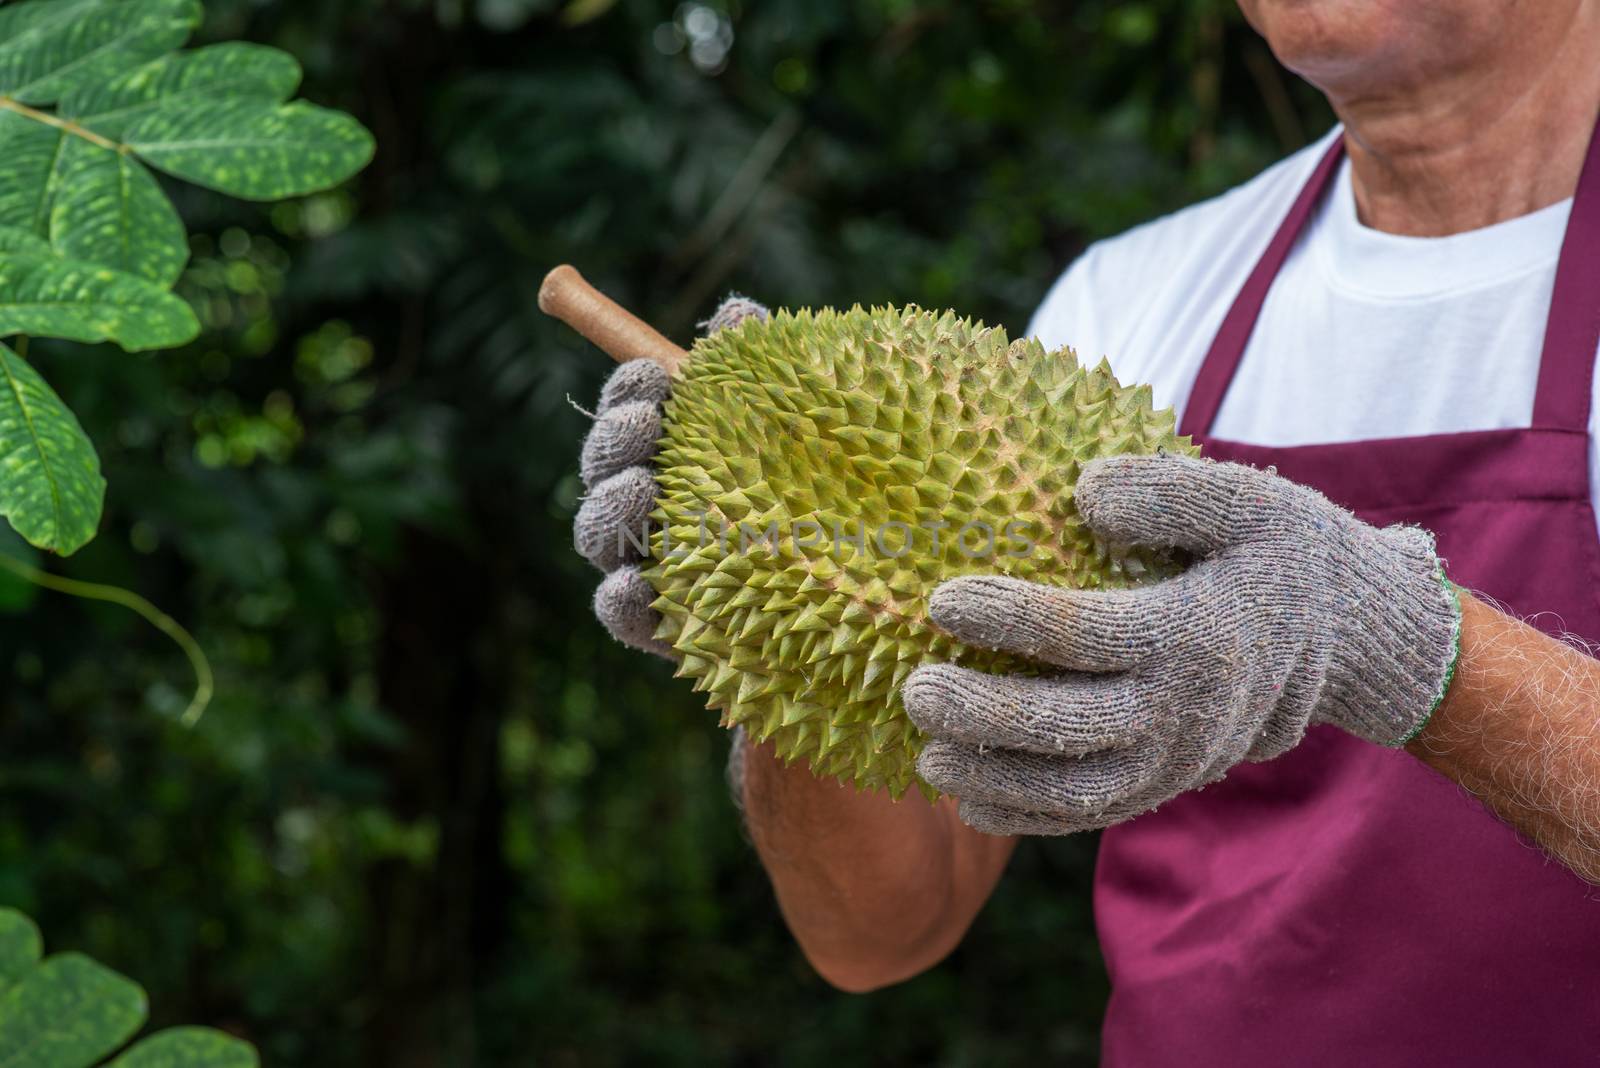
<point>55,46</point>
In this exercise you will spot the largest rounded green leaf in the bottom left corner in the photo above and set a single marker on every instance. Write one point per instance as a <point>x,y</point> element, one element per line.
<point>68,1013</point>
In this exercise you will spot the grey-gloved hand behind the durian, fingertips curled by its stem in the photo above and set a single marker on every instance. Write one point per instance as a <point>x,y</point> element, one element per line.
<point>622,488</point>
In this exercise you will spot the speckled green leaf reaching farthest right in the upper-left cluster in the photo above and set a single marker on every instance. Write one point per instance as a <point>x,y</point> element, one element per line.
<point>250,149</point>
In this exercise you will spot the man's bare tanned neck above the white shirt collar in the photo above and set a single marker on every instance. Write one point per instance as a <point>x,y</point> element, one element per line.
<point>1478,148</point>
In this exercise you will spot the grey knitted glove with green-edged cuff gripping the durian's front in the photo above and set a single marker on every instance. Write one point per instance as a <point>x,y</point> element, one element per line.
<point>1294,613</point>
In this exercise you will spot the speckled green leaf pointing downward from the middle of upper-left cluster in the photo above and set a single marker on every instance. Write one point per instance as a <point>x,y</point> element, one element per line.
<point>110,210</point>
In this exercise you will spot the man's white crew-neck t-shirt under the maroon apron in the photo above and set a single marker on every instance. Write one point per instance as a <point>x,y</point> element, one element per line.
<point>1364,335</point>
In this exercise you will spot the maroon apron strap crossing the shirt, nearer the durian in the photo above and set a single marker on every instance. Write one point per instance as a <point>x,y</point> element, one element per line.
<point>1228,348</point>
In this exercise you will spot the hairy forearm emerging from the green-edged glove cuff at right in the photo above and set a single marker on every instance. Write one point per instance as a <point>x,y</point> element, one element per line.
<point>1521,730</point>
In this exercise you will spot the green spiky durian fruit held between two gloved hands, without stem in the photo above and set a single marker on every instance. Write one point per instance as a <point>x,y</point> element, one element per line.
<point>854,436</point>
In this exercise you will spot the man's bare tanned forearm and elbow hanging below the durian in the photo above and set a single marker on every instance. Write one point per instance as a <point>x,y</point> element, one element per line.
<point>876,891</point>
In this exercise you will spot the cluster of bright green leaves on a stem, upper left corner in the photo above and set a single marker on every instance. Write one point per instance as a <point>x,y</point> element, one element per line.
<point>92,97</point>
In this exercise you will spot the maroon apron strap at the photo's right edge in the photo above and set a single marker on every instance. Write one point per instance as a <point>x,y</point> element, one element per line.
<point>1574,332</point>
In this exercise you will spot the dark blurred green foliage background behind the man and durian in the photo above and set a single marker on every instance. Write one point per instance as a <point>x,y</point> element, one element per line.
<point>436,816</point>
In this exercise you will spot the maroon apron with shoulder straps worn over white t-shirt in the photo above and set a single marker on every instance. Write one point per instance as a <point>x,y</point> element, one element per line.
<point>1343,904</point>
